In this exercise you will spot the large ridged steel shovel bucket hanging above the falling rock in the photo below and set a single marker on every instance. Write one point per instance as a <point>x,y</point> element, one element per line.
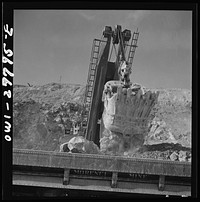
<point>129,107</point>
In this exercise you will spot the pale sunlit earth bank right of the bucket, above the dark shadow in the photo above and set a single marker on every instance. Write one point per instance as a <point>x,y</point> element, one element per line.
<point>172,122</point>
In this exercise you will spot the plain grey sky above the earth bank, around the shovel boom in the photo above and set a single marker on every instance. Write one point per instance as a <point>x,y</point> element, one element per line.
<point>54,45</point>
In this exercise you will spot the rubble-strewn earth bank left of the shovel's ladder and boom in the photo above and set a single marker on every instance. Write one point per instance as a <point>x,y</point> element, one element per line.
<point>42,114</point>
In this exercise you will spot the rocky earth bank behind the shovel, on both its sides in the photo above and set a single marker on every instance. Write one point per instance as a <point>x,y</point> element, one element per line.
<point>43,114</point>
